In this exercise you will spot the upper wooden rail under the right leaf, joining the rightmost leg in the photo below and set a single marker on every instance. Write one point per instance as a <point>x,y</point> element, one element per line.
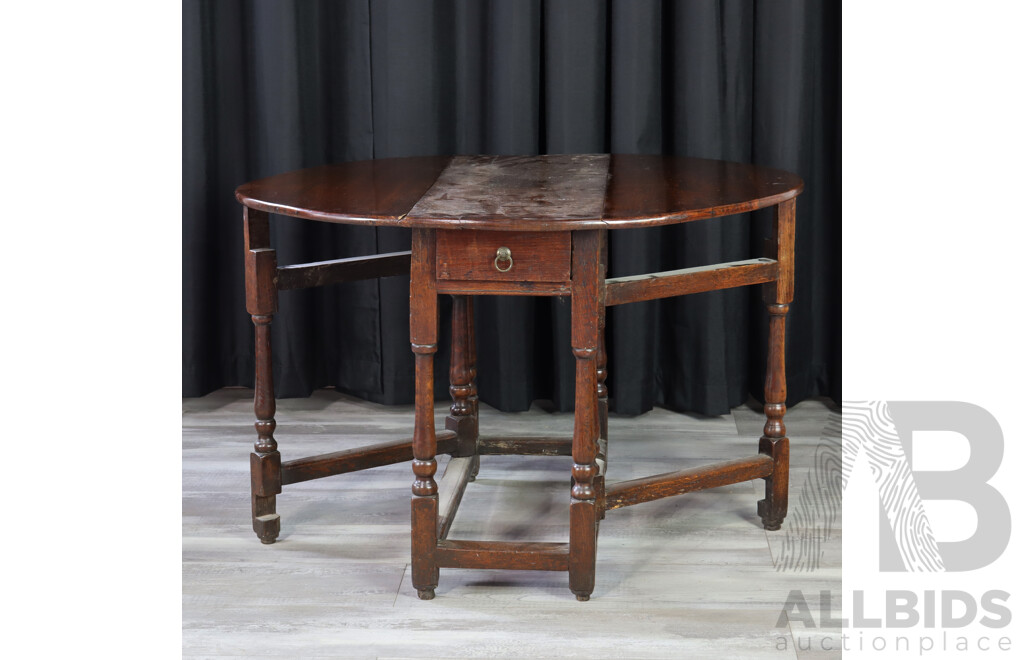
<point>635,289</point>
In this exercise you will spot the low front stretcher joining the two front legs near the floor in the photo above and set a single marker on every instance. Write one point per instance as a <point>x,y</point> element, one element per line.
<point>503,555</point>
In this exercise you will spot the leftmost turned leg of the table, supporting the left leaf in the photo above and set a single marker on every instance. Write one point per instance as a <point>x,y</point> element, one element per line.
<point>262,303</point>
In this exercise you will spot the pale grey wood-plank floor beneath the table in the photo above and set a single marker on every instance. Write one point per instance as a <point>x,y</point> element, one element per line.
<point>693,577</point>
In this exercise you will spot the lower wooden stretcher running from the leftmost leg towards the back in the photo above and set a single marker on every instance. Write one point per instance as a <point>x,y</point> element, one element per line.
<point>338,463</point>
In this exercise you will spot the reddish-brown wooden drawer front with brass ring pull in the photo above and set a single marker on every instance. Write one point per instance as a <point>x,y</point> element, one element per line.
<point>541,256</point>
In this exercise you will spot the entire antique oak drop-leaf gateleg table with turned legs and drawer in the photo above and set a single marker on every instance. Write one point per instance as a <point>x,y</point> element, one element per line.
<point>518,227</point>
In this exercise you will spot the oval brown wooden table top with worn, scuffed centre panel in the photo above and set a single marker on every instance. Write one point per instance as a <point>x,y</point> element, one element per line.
<point>523,193</point>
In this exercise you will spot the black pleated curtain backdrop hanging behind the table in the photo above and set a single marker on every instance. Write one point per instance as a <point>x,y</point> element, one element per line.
<point>272,86</point>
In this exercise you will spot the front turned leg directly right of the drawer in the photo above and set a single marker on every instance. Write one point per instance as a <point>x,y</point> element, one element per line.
<point>583,507</point>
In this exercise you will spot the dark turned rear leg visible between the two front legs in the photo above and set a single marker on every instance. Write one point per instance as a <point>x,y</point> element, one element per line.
<point>464,418</point>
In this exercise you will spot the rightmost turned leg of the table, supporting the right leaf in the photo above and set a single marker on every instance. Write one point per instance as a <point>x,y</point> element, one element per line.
<point>775,443</point>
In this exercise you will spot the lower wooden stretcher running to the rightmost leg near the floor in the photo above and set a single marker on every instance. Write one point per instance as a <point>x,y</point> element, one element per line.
<point>635,492</point>
